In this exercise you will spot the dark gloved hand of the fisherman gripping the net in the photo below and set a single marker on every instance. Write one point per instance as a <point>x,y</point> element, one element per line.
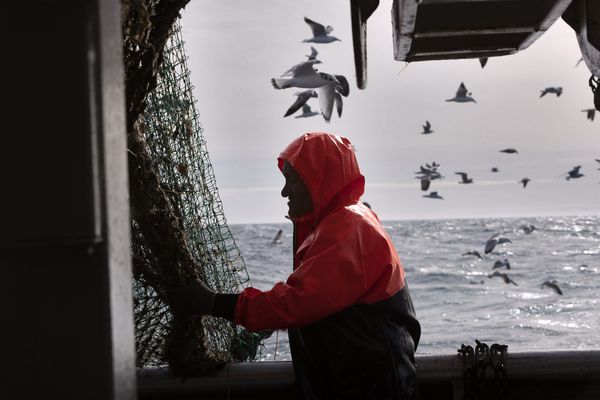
<point>193,298</point>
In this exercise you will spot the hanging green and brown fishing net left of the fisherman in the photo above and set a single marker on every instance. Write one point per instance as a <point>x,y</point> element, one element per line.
<point>179,231</point>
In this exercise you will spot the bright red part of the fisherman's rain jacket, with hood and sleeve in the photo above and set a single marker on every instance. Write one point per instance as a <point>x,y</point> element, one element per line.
<point>342,254</point>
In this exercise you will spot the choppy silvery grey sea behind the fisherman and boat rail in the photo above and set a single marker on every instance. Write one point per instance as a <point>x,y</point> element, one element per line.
<point>455,299</point>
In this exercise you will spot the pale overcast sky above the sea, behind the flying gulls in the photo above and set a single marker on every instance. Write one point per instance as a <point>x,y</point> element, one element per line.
<point>235,47</point>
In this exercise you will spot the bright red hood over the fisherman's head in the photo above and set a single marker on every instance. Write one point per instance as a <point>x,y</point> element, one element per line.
<point>328,167</point>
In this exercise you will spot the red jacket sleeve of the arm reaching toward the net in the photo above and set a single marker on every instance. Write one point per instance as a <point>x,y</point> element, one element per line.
<point>333,275</point>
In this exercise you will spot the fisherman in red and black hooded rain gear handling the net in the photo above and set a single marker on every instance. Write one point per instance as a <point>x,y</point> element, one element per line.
<point>350,318</point>
